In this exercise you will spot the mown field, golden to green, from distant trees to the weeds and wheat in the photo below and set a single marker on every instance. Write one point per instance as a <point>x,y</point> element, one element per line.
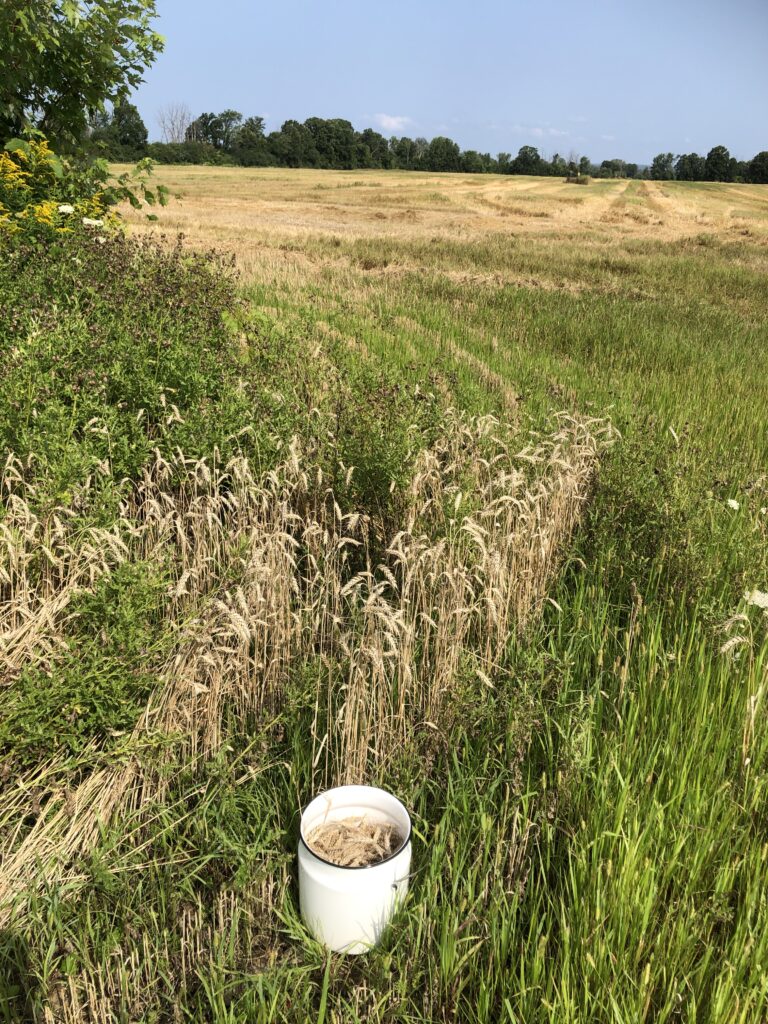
<point>519,293</point>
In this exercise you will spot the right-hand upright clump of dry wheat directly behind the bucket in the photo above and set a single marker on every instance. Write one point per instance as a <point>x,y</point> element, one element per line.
<point>454,588</point>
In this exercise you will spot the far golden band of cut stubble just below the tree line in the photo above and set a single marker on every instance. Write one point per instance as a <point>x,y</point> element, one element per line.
<point>242,207</point>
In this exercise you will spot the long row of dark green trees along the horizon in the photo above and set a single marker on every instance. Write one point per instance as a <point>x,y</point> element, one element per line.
<point>334,144</point>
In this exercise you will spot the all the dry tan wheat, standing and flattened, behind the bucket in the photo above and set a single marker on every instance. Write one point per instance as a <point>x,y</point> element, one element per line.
<point>268,576</point>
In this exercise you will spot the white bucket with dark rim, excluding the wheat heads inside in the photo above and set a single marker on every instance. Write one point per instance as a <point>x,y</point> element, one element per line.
<point>348,909</point>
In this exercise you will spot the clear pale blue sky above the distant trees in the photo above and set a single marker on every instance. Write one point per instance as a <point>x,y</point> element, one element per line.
<point>607,78</point>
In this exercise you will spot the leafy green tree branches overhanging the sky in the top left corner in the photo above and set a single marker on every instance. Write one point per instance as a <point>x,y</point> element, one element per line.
<point>63,60</point>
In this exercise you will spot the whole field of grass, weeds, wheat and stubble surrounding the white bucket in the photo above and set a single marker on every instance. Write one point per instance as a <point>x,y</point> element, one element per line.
<point>463,493</point>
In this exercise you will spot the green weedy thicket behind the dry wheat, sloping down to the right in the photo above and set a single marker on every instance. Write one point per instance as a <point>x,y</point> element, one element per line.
<point>113,348</point>
